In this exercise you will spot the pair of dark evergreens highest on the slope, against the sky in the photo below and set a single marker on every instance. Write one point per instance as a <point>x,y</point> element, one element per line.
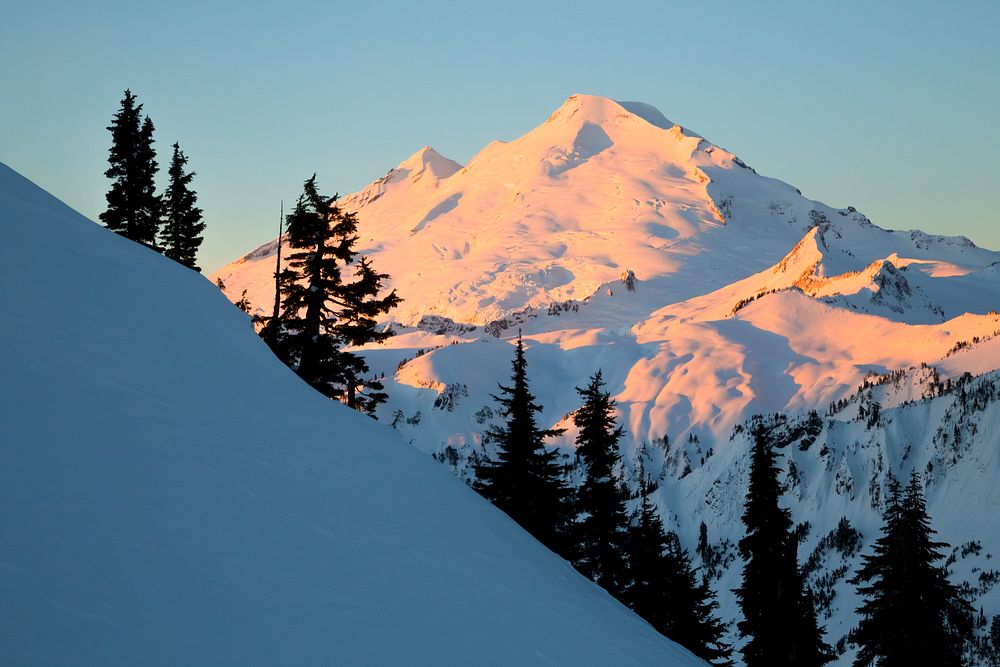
<point>170,223</point>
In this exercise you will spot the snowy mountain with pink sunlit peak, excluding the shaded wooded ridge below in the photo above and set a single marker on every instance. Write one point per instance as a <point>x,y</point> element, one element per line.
<point>748,297</point>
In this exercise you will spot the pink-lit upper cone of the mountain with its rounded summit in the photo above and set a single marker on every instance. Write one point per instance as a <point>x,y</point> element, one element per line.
<point>600,188</point>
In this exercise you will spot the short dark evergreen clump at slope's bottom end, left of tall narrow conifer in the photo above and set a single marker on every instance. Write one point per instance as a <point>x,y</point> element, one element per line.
<point>665,590</point>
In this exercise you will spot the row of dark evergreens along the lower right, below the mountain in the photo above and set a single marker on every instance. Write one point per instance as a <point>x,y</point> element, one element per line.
<point>910,614</point>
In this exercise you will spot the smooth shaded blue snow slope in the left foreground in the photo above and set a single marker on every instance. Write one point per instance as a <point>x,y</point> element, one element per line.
<point>171,494</point>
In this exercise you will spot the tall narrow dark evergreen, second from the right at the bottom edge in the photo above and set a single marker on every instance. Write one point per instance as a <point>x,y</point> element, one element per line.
<point>779,622</point>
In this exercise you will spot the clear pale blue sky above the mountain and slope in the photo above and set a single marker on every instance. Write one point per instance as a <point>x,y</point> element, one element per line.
<point>892,108</point>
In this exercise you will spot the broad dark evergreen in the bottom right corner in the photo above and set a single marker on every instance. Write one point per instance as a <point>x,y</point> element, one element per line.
<point>912,614</point>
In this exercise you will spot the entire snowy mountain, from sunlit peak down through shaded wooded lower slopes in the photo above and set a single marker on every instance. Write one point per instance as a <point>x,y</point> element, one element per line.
<point>748,298</point>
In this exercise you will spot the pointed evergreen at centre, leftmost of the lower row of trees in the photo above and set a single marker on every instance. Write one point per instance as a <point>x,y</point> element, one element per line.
<point>525,481</point>
